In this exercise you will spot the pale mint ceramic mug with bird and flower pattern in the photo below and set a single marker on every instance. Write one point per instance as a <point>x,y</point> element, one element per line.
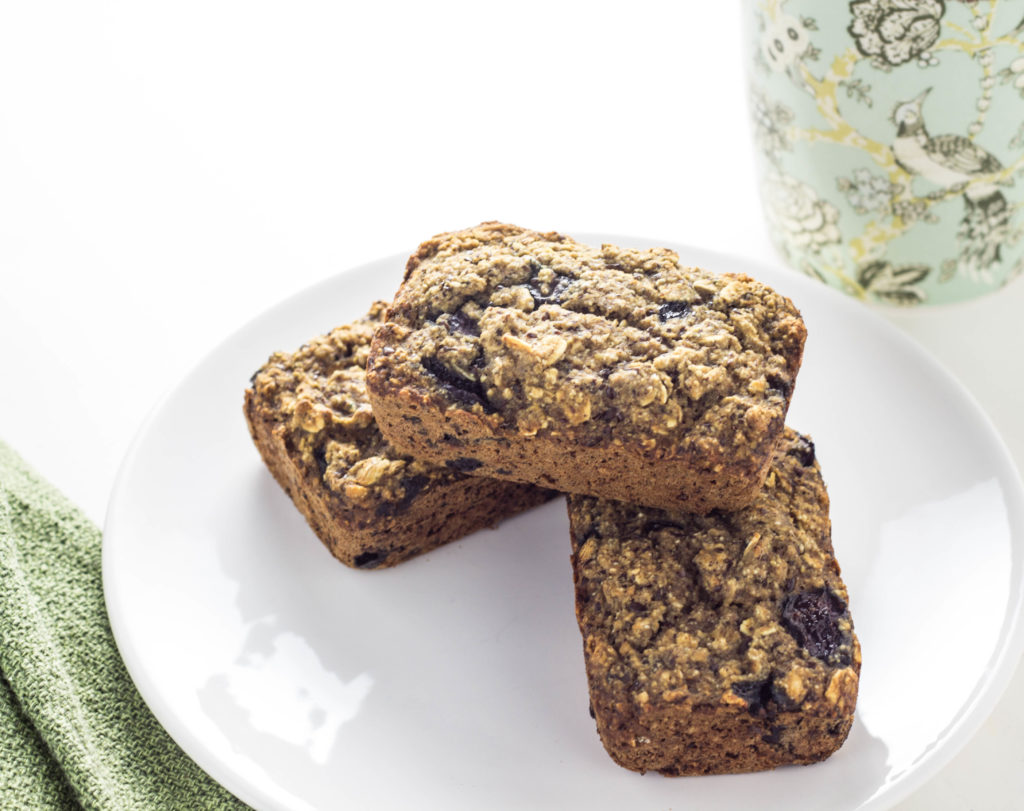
<point>890,143</point>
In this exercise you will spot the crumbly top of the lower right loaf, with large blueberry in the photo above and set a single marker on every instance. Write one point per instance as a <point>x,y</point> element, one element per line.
<point>743,608</point>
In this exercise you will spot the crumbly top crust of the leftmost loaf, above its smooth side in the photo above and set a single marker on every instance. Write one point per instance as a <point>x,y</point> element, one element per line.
<point>319,397</point>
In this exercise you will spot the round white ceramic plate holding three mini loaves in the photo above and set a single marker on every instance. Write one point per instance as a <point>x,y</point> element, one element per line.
<point>456,681</point>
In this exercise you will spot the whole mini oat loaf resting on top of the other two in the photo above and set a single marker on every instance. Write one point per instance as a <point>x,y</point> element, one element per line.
<point>607,372</point>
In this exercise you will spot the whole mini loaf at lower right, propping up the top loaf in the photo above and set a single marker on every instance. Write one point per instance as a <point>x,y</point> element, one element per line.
<point>720,644</point>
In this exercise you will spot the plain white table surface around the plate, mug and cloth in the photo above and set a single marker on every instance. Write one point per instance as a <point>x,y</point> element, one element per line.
<point>168,172</point>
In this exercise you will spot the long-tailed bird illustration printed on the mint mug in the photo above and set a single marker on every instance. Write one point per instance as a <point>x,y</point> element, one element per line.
<point>956,162</point>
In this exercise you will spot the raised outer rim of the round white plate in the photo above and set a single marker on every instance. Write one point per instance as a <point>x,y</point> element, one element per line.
<point>976,709</point>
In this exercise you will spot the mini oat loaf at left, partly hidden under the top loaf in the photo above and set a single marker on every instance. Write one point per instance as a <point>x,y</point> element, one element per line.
<point>373,507</point>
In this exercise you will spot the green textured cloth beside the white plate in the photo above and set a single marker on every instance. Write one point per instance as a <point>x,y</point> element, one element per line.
<point>74,732</point>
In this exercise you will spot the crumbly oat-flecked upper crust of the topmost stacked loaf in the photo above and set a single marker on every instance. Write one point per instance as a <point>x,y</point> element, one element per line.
<point>554,336</point>
